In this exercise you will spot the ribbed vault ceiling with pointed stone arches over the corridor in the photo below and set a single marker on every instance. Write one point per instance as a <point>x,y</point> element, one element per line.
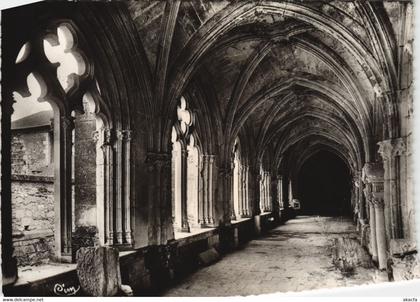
<point>290,78</point>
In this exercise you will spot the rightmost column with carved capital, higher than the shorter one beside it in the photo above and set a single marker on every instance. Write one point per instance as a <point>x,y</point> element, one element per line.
<point>392,152</point>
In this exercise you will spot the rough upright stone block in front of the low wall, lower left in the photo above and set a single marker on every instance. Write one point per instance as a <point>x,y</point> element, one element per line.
<point>98,270</point>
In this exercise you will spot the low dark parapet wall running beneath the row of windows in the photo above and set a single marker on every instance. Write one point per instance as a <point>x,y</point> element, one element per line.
<point>151,270</point>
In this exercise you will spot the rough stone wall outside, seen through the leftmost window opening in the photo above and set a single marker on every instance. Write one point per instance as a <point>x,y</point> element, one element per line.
<point>33,210</point>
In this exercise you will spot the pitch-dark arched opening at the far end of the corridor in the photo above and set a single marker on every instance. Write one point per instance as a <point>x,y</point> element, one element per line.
<point>324,186</point>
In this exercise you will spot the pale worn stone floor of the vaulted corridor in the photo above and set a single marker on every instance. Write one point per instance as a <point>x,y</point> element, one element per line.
<point>293,257</point>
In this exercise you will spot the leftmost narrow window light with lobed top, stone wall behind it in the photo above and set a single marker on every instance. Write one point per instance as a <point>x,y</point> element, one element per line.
<point>32,180</point>
